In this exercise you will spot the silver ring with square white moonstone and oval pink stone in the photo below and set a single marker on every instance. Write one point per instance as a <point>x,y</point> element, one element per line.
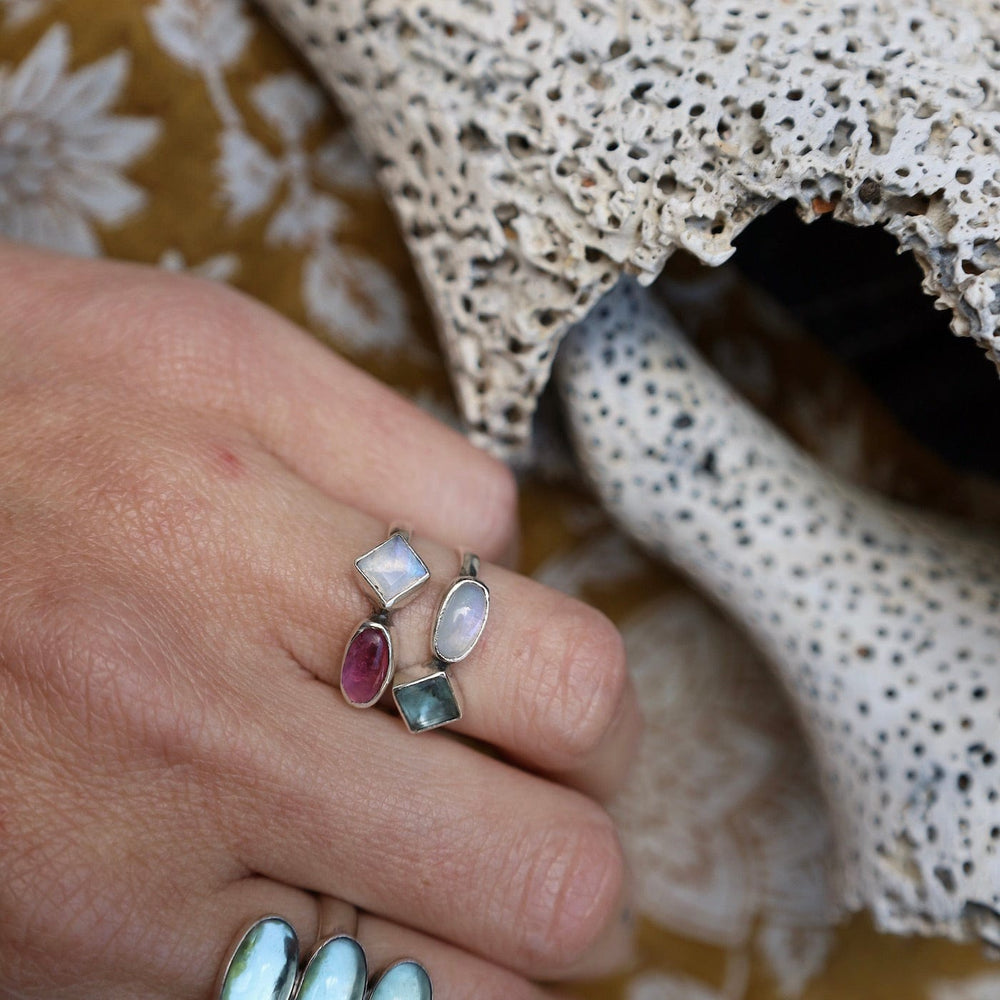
<point>392,574</point>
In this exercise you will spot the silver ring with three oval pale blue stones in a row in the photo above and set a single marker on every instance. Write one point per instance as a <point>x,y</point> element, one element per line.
<point>265,966</point>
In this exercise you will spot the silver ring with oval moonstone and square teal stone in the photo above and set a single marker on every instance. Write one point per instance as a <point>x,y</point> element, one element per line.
<point>431,701</point>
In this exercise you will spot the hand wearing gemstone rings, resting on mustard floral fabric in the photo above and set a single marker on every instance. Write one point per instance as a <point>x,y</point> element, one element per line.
<point>185,480</point>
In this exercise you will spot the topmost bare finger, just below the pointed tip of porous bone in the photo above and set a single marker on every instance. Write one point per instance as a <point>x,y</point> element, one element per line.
<point>349,435</point>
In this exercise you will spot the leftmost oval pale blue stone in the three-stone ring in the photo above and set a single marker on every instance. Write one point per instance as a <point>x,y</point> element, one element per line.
<point>265,963</point>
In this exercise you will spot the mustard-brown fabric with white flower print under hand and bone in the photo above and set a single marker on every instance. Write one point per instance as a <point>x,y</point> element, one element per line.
<point>184,133</point>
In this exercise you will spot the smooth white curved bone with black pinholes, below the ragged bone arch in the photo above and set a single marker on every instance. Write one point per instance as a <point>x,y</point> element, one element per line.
<point>883,624</point>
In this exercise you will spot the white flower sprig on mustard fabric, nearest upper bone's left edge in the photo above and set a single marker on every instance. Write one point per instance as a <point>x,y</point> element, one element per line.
<point>350,297</point>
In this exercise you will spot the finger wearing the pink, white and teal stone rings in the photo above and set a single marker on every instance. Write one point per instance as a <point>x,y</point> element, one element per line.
<point>547,685</point>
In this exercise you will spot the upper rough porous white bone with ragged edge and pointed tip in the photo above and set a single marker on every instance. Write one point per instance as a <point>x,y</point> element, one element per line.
<point>534,151</point>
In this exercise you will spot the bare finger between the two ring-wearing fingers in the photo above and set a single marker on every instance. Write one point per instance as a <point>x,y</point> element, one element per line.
<point>499,862</point>
